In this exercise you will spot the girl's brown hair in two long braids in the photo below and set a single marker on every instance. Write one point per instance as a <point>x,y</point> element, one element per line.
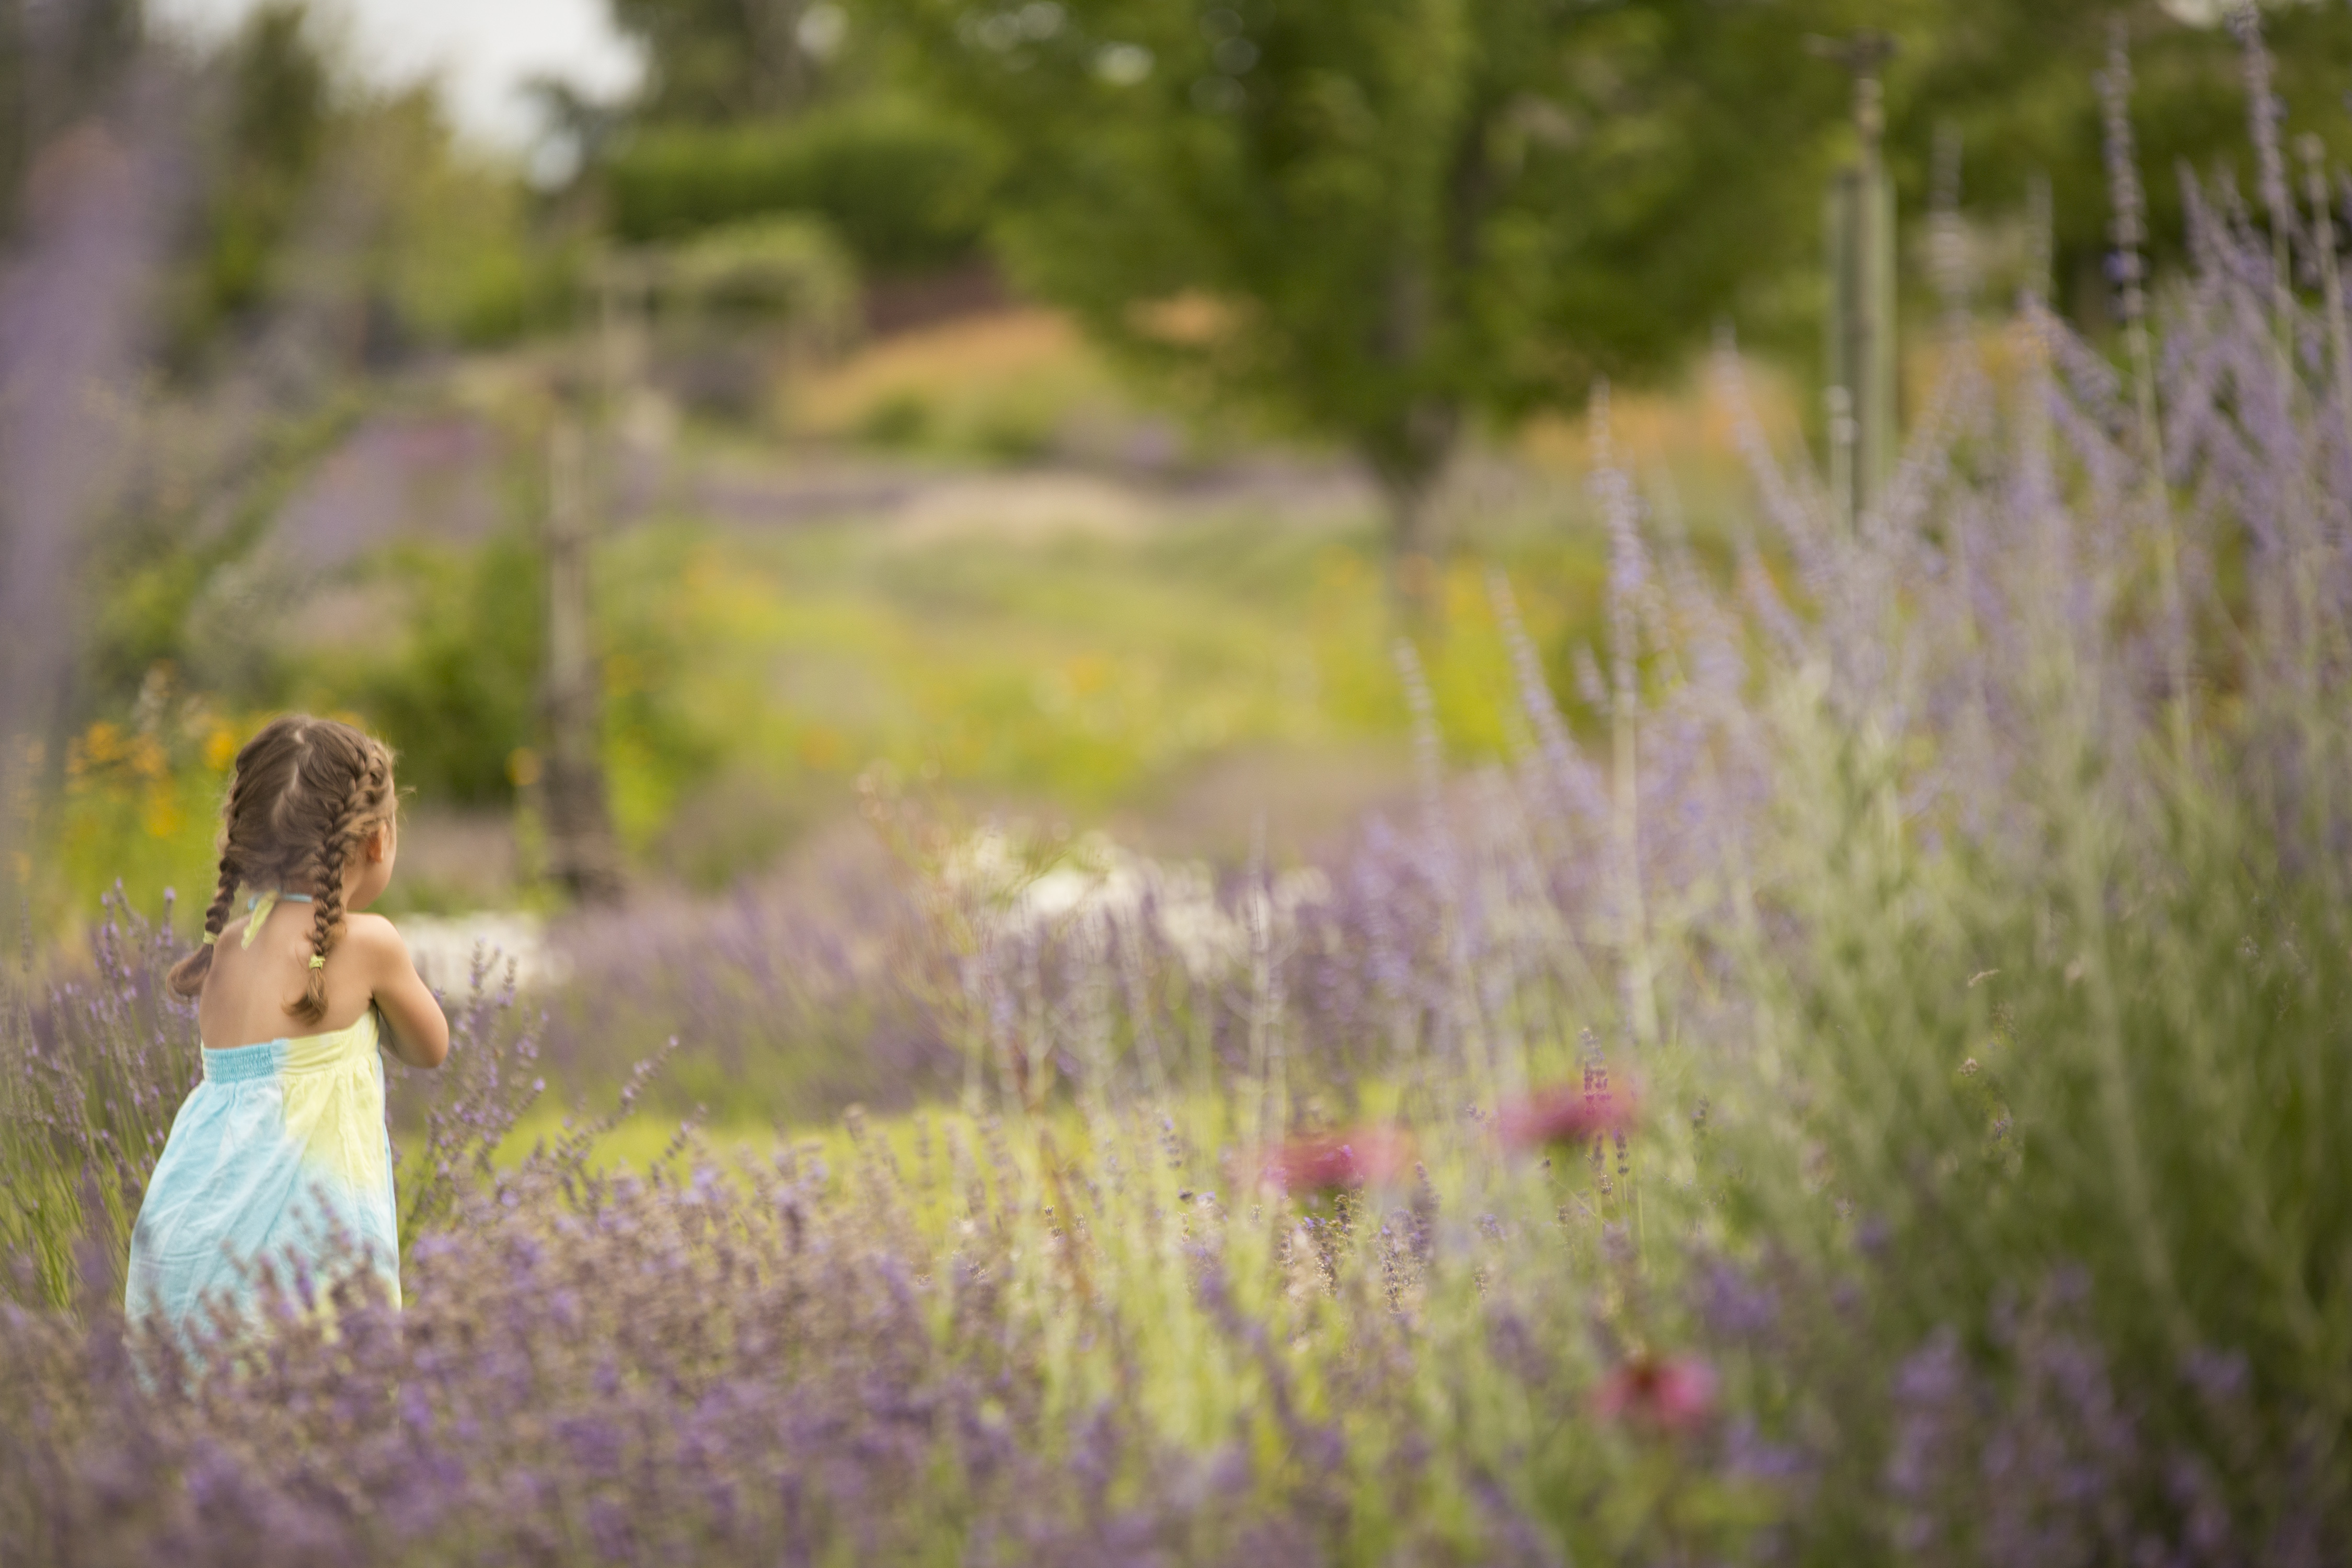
<point>305,796</point>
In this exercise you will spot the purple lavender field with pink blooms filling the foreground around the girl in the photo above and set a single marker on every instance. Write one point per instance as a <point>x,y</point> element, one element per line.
<point>1876,1097</point>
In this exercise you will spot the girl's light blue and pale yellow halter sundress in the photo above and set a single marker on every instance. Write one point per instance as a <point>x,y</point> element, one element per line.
<point>279,1158</point>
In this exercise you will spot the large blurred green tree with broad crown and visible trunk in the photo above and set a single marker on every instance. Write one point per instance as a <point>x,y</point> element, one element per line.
<point>1389,217</point>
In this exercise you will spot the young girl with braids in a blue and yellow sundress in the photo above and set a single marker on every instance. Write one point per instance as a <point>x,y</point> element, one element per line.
<point>281,1153</point>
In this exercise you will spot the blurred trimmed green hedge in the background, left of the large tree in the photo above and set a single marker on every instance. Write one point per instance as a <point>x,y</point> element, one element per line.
<point>904,189</point>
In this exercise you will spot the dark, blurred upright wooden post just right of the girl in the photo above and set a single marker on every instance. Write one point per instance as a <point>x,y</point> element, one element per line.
<point>582,850</point>
